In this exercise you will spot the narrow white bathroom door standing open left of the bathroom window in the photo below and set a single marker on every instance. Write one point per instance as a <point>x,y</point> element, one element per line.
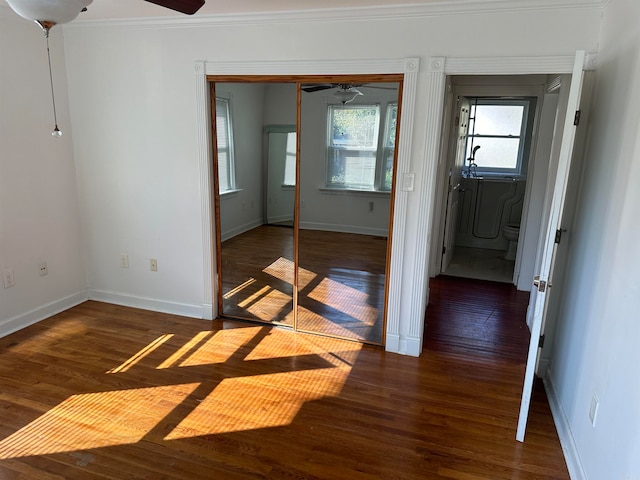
<point>455,178</point>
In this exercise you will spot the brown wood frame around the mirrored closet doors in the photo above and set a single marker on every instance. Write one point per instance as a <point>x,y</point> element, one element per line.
<point>299,80</point>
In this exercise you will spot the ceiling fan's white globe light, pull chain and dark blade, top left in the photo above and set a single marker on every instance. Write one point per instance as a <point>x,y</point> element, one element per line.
<point>49,13</point>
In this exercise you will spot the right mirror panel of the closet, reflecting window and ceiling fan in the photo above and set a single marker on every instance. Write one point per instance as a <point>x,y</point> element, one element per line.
<point>346,175</point>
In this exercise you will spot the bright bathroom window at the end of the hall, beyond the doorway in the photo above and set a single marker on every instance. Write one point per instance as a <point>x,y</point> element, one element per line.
<point>498,136</point>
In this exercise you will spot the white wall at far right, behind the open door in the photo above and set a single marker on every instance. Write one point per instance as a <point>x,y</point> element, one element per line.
<point>596,349</point>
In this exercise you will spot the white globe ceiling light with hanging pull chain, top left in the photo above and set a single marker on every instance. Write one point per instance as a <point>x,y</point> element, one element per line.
<point>47,14</point>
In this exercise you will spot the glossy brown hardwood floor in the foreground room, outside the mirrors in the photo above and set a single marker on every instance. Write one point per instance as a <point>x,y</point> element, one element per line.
<point>108,392</point>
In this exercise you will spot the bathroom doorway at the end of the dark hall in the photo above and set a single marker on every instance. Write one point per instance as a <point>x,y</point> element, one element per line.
<point>493,186</point>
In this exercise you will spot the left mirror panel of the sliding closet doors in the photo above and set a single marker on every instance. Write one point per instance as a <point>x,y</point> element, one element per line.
<point>256,170</point>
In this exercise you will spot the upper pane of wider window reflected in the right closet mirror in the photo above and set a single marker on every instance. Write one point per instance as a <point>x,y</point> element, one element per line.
<point>355,126</point>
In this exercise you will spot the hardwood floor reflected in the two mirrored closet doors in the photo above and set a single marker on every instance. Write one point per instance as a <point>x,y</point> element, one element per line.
<point>341,281</point>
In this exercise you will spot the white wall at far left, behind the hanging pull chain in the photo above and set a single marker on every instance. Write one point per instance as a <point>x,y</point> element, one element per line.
<point>39,219</point>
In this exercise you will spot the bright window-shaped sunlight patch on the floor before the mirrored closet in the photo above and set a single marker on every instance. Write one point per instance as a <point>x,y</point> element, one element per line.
<point>271,375</point>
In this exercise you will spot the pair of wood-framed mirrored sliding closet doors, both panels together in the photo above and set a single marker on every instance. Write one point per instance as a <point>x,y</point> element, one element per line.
<point>303,203</point>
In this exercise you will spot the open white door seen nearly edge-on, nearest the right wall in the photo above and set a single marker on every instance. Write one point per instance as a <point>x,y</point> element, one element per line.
<point>543,280</point>
